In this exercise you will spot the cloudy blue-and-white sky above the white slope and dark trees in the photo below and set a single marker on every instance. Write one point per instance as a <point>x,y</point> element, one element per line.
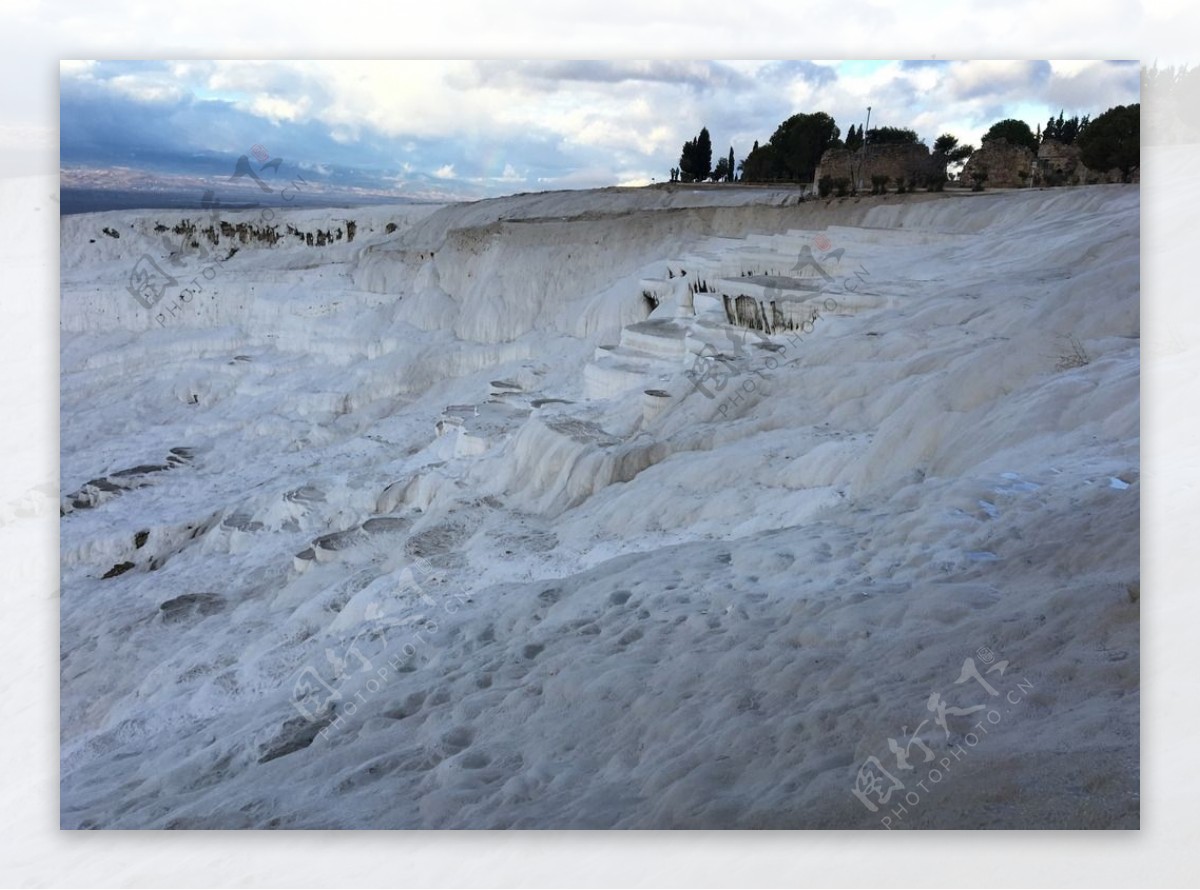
<point>477,129</point>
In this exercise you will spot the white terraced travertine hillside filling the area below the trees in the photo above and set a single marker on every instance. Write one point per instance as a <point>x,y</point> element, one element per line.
<point>496,520</point>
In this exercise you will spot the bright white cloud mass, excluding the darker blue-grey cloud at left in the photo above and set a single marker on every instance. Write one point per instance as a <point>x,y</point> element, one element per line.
<point>610,121</point>
